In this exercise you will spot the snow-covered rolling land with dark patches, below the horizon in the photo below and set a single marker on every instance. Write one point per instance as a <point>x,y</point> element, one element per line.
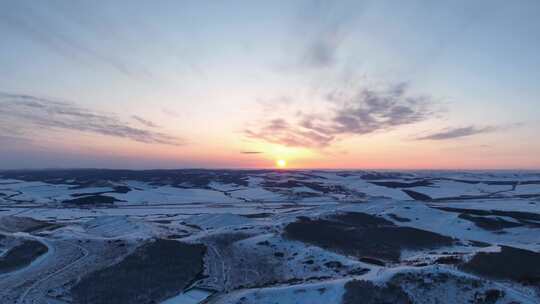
<point>272,236</point>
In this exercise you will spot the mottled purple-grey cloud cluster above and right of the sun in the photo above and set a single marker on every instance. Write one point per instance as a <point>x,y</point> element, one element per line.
<point>358,112</point>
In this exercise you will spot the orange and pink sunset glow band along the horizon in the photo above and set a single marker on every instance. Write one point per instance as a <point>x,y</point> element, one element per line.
<point>362,153</point>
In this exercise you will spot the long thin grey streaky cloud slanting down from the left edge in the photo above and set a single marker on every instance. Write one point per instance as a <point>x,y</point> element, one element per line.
<point>30,114</point>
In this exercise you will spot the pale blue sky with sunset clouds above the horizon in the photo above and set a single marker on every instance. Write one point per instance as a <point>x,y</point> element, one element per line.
<point>245,84</point>
